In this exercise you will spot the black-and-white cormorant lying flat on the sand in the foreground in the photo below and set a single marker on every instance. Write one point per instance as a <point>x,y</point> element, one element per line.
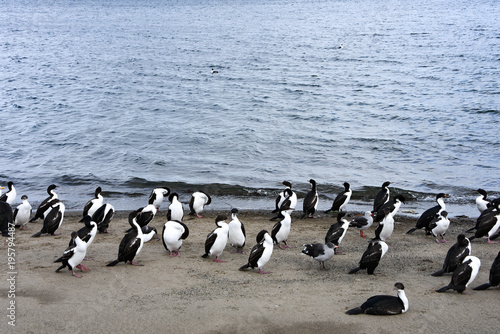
<point>384,304</point>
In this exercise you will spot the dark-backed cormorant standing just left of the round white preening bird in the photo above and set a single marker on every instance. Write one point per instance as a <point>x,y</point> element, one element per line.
<point>131,243</point>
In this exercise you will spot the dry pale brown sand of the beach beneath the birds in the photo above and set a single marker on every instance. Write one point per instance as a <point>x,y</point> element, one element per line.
<point>190,294</point>
